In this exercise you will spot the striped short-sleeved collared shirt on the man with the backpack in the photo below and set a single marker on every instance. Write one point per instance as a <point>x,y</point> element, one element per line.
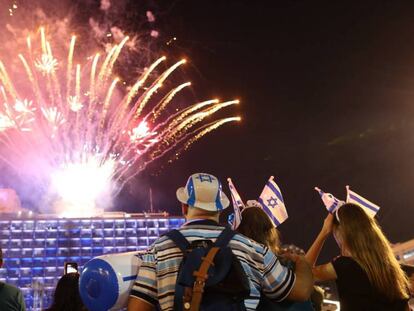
<point>155,282</point>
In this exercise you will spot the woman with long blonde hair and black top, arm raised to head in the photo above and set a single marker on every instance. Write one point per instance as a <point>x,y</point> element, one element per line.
<point>367,274</point>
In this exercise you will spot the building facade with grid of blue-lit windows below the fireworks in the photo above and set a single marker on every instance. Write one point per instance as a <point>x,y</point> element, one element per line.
<point>36,248</point>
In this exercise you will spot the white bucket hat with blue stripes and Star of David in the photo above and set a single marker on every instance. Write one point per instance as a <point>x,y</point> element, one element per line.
<point>203,191</point>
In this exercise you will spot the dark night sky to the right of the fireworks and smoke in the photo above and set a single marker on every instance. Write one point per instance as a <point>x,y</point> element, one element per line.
<point>327,93</point>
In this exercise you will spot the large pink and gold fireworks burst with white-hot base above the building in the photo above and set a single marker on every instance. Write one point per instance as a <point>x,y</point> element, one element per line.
<point>69,126</point>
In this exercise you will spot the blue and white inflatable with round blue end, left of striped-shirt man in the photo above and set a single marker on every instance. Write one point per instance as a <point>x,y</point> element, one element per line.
<point>106,281</point>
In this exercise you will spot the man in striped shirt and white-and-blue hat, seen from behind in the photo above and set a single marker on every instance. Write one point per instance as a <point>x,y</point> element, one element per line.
<point>202,201</point>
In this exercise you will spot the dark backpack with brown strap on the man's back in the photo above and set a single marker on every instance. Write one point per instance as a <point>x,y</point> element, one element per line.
<point>210,276</point>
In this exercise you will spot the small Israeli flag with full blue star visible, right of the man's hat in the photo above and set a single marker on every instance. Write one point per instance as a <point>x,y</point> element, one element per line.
<point>272,201</point>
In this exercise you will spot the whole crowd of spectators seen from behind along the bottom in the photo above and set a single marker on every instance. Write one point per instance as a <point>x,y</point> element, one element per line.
<point>366,272</point>
